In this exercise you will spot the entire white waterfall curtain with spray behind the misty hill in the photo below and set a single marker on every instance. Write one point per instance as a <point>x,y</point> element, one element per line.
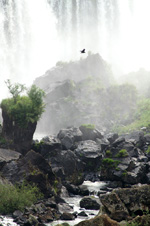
<point>35,34</point>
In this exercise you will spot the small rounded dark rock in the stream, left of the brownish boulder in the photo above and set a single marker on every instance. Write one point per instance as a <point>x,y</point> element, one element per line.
<point>89,203</point>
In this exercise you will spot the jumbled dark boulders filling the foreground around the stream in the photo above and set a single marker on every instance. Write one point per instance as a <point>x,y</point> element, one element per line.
<point>77,154</point>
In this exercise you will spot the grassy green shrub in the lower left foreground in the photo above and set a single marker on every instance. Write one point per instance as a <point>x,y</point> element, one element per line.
<point>17,197</point>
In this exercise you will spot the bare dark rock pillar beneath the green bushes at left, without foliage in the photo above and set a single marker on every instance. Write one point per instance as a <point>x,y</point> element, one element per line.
<point>19,139</point>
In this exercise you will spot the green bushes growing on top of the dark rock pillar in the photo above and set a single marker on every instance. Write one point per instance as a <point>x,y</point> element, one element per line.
<point>24,109</point>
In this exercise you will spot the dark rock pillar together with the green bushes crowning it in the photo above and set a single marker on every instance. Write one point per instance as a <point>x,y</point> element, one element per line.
<point>20,115</point>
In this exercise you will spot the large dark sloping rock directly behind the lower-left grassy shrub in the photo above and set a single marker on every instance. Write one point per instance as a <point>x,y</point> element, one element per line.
<point>32,168</point>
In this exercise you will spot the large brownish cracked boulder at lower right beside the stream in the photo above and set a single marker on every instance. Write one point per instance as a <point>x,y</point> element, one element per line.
<point>123,204</point>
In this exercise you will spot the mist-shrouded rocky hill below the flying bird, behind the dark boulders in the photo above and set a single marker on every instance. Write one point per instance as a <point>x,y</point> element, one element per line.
<point>84,92</point>
